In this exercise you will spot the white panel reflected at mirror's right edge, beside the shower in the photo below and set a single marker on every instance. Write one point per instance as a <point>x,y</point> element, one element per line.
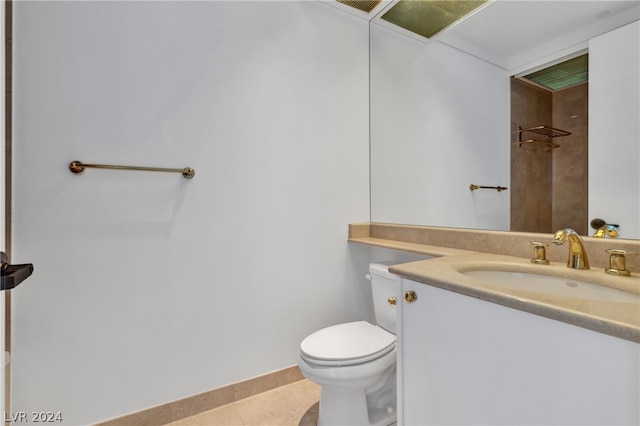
<point>614,133</point>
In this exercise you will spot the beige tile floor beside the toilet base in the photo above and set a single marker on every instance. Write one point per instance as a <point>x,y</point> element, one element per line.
<point>291,405</point>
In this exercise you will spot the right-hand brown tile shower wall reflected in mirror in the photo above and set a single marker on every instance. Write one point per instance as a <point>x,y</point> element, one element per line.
<point>571,161</point>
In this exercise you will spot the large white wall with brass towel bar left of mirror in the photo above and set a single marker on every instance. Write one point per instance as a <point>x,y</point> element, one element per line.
<point>149,287</point>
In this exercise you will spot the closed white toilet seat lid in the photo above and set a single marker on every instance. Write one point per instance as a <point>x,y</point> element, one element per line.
<point>350,343</point>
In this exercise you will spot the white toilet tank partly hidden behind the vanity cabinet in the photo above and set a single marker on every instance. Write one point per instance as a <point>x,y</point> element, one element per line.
<point>383,286</point>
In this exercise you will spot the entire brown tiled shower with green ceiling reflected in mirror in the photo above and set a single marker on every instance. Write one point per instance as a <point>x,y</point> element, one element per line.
<point>549,149</point>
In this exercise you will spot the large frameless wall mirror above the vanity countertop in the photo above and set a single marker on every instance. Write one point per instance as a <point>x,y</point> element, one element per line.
<point>442,118</point>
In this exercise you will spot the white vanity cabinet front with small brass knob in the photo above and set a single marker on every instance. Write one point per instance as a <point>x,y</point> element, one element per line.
<point>463,360</point>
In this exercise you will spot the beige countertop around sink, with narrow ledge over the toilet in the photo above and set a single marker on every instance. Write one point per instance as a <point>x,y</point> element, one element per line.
<point>619,317</point>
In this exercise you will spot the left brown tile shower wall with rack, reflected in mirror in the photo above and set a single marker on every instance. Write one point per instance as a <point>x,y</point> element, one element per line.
<point>531,171</point>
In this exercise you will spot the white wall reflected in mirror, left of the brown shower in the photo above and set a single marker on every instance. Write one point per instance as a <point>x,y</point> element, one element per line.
<point>439,122</point>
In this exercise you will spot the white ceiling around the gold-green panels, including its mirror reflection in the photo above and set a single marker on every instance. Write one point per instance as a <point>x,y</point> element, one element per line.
<point>517,35</point>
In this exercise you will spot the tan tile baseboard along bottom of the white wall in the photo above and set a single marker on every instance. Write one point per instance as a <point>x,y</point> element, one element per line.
<point>185,407</point>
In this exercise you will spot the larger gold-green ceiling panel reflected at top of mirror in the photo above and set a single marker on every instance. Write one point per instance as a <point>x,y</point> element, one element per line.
<point>428,17</point>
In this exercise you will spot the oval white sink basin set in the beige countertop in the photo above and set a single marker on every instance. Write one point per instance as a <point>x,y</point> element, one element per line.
<point>553,286</point>
